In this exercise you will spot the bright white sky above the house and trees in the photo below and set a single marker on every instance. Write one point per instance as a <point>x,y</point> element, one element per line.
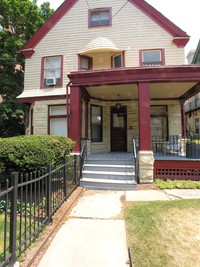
<point>183,13</point>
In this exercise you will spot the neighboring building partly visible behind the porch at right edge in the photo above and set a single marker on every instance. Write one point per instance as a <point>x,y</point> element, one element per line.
<point>192,106</point>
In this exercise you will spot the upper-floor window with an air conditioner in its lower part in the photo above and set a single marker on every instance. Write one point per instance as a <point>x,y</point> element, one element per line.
<point>52,71</point>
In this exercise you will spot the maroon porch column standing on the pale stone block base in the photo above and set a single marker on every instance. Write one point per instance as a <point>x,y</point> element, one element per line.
<point>144,116</point>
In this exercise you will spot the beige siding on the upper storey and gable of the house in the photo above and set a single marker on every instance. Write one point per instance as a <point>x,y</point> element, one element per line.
<point>131,31</point>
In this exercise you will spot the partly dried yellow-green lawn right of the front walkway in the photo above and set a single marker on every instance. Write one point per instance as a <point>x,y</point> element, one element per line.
<point>164,233</point>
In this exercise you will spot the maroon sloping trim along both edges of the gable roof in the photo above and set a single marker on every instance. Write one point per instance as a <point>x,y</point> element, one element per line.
<point>180,37</point>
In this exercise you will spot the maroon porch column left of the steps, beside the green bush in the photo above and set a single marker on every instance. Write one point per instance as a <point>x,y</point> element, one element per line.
<point>75,120</point>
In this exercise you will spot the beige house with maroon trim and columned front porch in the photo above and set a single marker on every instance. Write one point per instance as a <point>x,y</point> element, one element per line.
<point>108,72</point>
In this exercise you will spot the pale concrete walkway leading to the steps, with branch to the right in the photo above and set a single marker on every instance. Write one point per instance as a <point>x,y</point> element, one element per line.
<point>94,234</point>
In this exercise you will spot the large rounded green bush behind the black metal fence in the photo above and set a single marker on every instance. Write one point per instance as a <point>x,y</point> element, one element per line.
<point>33,152</point>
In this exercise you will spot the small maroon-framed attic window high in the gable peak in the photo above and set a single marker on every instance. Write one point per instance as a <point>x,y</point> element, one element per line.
<point>99,17</point>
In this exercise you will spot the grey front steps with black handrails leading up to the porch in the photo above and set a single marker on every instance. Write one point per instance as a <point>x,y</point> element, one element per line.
<point>111,171</point>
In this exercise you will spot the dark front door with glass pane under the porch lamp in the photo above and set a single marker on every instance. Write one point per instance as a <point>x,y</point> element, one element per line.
<point>118,129</point>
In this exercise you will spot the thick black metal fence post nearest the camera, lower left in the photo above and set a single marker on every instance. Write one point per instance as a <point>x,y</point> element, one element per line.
<point>13,217</point>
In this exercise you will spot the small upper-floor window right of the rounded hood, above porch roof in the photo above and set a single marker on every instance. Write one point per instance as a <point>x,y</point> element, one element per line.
<point>152,57</point>
